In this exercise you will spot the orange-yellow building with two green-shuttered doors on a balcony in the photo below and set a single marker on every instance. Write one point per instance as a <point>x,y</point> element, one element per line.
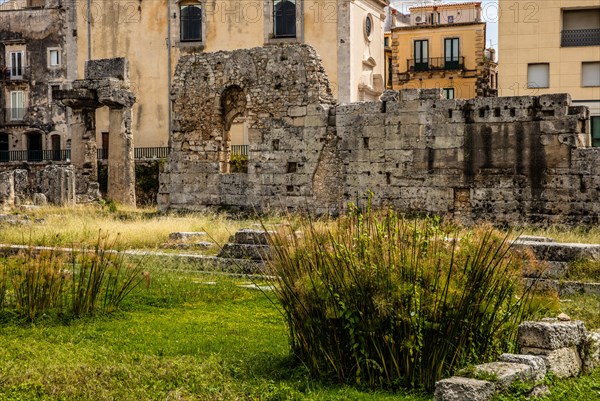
<point>444,47</point>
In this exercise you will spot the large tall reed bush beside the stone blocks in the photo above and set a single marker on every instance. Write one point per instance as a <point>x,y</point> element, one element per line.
<point>382,301</point>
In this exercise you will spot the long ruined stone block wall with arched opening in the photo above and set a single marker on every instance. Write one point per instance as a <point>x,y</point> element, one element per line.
<point>501,159</point>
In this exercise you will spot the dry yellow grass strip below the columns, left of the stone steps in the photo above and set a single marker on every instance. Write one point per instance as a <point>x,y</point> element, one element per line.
<point>136,229</point>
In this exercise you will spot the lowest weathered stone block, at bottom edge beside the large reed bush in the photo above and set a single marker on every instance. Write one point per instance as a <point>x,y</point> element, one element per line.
<point>463,389</point>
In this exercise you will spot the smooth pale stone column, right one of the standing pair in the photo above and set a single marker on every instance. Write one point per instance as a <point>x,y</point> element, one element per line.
<point>121,162</point>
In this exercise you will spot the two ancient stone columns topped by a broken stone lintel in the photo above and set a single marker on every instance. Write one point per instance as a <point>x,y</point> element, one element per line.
<point>106,83</point>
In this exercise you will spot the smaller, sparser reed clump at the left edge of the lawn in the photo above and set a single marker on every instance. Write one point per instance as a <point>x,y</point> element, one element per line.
<point>77,283</point>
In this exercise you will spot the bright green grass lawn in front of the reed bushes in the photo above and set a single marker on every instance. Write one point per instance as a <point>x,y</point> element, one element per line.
<point>182,339</point>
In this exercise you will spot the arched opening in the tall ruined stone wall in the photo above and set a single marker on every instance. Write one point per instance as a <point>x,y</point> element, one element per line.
<point>234,146</point>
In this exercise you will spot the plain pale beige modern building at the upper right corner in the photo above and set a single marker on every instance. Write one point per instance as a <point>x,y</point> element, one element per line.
<point>552,47</point>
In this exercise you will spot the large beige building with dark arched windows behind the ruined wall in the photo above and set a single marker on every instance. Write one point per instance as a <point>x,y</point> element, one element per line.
<point>153,35</point>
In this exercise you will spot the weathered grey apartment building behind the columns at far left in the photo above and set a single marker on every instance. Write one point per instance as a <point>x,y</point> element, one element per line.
<point>35,38</point>
